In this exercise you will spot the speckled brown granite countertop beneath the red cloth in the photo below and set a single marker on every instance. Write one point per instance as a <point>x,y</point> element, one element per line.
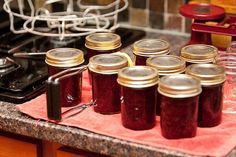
<point>13,121</point>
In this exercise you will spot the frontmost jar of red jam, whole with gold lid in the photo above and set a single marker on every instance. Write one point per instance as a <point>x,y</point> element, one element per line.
<point>179,105</point>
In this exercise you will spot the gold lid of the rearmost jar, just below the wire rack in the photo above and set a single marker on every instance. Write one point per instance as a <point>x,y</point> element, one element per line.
<point>102,41</point>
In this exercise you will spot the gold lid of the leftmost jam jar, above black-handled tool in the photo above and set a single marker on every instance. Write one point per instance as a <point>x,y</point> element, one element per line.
<point>64,57</point>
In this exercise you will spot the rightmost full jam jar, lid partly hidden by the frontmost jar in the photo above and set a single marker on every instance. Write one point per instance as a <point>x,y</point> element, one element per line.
<point>212,78</point>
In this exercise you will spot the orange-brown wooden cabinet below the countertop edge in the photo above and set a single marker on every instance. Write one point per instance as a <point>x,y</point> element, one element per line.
<point>12,145</point>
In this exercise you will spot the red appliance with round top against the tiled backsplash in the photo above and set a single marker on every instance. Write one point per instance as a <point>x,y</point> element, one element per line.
<point>203,16</point>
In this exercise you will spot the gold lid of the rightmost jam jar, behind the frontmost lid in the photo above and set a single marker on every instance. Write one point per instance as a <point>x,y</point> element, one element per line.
<point>209,74</point>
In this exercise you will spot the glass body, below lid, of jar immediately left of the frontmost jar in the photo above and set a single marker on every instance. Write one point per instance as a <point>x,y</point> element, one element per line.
<point>138,107</point>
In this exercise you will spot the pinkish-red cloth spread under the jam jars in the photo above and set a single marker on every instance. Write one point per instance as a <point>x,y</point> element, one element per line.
<point>215,141</point>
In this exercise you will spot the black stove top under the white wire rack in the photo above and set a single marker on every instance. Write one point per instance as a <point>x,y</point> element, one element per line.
<point>23,77</point>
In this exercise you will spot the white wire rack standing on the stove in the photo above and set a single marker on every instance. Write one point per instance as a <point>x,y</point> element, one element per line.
<point>78,18</point>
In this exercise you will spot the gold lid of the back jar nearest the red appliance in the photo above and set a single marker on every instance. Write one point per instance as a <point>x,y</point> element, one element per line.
<point>199,53</point>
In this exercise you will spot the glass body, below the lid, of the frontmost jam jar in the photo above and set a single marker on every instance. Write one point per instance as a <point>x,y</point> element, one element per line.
<point>179,117</point>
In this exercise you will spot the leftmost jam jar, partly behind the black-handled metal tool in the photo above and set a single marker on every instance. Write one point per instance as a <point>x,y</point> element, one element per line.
<point>70,87</point>
